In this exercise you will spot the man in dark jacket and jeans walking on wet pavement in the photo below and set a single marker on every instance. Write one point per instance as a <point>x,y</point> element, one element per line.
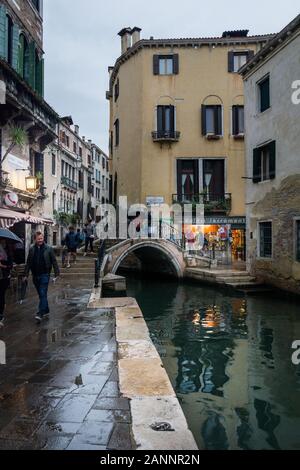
<point>41,260</point>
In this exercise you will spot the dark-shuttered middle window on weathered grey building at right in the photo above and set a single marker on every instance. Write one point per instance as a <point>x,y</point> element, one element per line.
<point>264,162</point>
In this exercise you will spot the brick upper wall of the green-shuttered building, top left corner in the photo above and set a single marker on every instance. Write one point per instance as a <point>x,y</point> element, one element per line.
<point>27,17</point>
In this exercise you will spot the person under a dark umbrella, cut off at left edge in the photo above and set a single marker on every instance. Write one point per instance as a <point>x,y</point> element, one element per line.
<point>6,265</point>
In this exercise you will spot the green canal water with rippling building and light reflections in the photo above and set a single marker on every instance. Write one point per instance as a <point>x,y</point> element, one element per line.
<point>229,359</point>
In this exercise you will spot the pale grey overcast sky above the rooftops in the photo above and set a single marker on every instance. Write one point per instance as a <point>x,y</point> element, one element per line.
<point>80,42</point>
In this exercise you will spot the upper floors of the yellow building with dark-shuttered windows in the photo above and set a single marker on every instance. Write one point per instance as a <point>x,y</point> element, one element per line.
<point>177,122</point>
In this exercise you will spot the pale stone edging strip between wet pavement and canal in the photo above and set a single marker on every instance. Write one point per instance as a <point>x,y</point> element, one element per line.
<point>144,380</point>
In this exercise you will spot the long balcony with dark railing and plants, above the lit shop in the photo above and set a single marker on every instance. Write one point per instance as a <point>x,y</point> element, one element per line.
<point>213,203</point>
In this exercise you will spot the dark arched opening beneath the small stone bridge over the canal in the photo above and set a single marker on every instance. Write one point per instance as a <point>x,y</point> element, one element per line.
<point>153,259</point>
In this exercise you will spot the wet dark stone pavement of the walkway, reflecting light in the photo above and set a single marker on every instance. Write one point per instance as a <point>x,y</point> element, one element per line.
<point>41,407</point>
